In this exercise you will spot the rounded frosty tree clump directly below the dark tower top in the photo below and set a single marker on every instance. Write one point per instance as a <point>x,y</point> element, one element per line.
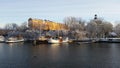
<point>98,28</point>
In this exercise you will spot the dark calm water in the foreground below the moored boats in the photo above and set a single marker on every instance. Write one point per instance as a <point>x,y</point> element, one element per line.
<point>26,55</point>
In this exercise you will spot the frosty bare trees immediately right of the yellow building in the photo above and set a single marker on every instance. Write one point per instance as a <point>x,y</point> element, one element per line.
<point>76,27</point>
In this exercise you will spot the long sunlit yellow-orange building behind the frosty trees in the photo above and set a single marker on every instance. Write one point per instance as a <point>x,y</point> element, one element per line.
<point>45,25</point>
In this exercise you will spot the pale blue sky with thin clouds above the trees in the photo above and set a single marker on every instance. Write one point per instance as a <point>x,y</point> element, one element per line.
<point>18,11</point>
